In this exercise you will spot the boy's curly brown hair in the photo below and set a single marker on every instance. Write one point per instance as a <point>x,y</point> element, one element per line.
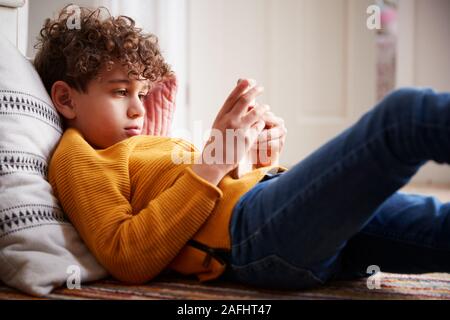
<point>77,55</point>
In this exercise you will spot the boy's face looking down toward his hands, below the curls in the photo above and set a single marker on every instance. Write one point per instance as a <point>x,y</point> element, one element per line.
<point>112,108</point>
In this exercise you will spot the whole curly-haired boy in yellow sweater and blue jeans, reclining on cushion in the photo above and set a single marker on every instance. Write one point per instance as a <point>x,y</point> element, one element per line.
<point>330,216</point>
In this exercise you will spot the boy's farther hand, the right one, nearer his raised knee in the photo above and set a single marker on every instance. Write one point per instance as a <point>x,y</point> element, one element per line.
<point>266,150</point>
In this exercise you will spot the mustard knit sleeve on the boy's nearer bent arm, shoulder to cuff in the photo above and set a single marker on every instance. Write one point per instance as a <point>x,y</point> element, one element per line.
<point>134,248</point>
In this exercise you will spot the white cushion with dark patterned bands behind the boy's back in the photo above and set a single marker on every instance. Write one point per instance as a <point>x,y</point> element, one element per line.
<point>39,248</point>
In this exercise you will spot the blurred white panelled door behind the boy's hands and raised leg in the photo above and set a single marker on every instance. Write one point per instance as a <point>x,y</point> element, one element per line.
<point>321,69</point>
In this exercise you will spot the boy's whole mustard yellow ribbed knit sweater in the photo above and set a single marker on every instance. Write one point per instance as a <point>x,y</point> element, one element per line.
<point>136,209</point>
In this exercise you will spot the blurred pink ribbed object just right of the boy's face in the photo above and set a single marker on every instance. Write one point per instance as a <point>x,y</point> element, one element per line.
<point>160,107</point>
